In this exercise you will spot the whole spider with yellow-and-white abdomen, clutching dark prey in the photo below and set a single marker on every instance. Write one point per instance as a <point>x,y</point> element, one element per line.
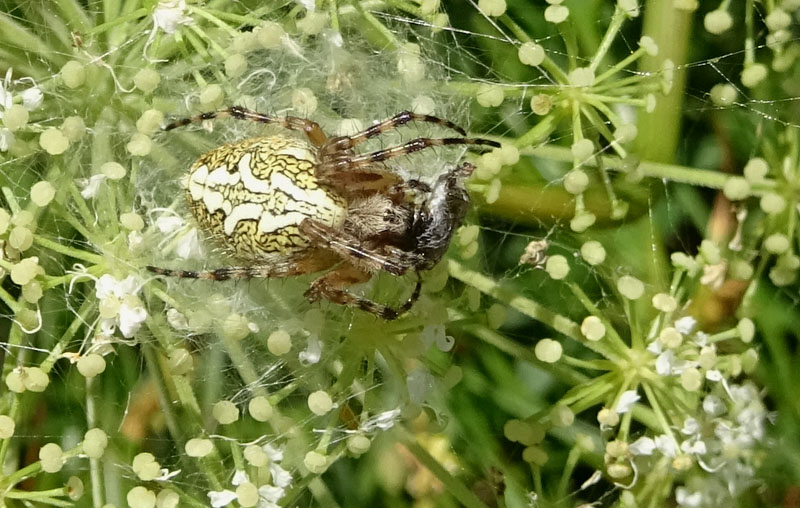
<point>284,206</point>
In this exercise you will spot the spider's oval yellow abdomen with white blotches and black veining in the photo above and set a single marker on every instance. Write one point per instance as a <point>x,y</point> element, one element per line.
<point>252,195</point>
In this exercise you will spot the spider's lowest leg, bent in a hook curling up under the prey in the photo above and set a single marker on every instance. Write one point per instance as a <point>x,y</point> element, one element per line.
<point>332,286</point>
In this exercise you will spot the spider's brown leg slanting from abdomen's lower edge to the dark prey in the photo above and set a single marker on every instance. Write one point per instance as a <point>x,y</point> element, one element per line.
<point>350,248</point>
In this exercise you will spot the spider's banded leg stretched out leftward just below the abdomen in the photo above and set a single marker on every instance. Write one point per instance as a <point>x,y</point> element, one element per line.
<point>310,263</point>
